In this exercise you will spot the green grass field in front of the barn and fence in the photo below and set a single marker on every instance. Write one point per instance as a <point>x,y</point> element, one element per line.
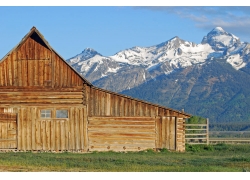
<point>197,158</point>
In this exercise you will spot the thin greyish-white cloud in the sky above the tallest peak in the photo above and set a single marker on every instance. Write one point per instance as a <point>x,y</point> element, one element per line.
<point>234,19</point>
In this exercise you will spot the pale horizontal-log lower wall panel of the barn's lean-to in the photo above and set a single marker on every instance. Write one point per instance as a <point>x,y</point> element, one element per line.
<point>121,133</point>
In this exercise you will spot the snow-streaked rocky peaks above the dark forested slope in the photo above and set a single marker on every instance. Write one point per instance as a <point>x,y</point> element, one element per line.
<point>132,67</point>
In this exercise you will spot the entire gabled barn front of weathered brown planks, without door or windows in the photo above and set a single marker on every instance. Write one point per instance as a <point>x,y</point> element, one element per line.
<point>34,77</point>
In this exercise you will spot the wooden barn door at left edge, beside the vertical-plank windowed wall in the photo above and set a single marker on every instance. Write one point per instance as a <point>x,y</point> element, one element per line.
<point>8,131</point>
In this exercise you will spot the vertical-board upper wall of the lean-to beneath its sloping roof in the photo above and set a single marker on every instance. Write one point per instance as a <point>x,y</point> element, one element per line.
<point>105,103</point>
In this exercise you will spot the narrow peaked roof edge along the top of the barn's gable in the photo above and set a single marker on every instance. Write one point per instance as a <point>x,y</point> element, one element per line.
<point>32,31</point>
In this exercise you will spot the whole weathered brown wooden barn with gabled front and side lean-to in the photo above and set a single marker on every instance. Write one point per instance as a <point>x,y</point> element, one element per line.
<point>45,105</point>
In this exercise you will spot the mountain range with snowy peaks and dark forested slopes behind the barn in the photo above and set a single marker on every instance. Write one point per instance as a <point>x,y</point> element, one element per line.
<point>210,79</point>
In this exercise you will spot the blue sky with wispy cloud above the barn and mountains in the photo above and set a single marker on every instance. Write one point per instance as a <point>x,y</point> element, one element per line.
<point>108,29</point>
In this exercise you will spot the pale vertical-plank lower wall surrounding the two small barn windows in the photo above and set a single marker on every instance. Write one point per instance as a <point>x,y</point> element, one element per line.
<point>52,134</point>
